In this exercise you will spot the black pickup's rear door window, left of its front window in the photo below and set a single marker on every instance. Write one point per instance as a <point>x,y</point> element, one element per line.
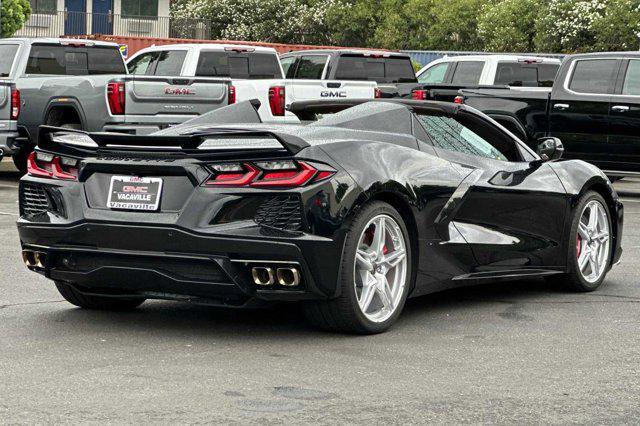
<point>594,76</point>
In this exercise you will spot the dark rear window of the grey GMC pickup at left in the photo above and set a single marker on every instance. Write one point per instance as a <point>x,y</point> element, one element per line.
<point>74,60</point>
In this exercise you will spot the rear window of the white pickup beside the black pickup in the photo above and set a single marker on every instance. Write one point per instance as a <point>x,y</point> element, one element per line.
<point>526,75</point>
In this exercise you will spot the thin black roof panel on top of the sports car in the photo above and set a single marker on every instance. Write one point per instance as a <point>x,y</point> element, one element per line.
<point>308,110</point>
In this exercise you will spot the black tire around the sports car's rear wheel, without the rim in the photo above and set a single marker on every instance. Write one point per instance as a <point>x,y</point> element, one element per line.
<point>343,314</point>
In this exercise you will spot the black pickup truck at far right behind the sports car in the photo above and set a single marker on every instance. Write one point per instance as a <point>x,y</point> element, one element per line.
<point>593,107</point>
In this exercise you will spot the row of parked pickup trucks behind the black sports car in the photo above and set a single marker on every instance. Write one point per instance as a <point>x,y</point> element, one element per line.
<point>592,106</point>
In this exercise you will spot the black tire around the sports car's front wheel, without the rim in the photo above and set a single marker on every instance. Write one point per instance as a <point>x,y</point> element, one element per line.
<point>573,279</point>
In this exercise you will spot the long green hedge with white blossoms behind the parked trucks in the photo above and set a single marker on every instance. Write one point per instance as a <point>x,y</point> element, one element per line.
<point>554,26</point>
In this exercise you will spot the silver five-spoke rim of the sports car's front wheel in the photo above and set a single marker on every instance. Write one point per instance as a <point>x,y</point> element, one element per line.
<point>593,241</point>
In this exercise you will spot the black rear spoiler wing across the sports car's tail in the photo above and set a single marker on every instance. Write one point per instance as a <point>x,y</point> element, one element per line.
<point>53,138</point>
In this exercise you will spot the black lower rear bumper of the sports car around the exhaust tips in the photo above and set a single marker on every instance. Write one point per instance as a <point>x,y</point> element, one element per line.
<point>128,260</point>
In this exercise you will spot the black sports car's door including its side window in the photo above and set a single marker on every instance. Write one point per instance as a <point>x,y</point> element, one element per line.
<point>510,208</point>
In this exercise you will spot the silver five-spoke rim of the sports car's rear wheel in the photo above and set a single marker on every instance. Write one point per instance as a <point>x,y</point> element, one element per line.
<point>380,268</point>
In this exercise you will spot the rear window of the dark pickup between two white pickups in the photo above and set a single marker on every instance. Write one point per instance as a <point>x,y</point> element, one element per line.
<point>382,70</point>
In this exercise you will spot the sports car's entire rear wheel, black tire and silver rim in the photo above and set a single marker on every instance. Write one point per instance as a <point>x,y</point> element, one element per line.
<point>375,275</point>
